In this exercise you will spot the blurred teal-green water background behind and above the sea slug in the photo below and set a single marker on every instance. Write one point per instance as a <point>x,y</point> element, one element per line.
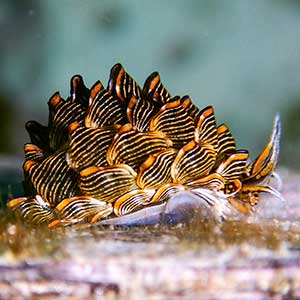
<point>242,57</point>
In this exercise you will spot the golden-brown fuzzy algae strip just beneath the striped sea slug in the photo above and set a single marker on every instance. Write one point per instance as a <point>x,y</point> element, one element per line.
<point>19,240</point>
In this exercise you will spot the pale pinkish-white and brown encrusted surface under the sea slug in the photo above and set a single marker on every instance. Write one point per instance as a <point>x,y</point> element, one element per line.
<point>253,259</point>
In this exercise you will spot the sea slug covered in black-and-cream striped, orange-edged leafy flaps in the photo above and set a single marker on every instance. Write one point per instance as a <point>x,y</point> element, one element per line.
<point>120,150</point>
